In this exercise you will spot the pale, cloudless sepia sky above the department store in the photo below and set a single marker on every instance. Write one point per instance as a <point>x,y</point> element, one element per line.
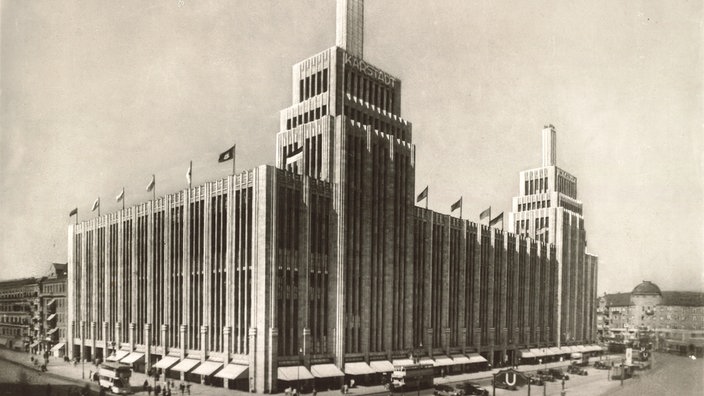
<point>97,96</point>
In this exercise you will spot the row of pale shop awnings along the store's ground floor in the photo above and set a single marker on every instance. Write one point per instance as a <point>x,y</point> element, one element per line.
<point>322,376</point>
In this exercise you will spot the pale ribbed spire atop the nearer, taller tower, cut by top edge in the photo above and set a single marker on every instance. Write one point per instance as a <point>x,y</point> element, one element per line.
<point>350,26</point>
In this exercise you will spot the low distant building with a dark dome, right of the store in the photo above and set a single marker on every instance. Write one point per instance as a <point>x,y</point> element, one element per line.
<point>673,319</point>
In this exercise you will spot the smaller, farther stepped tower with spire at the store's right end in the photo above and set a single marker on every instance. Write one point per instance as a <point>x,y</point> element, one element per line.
<point>547,209</point>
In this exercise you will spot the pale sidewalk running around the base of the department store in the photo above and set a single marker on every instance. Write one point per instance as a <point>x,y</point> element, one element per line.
<point>67,370</point>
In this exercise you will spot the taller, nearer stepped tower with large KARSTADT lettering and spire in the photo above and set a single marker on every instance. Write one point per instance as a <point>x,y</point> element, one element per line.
<point>345,127</point>
